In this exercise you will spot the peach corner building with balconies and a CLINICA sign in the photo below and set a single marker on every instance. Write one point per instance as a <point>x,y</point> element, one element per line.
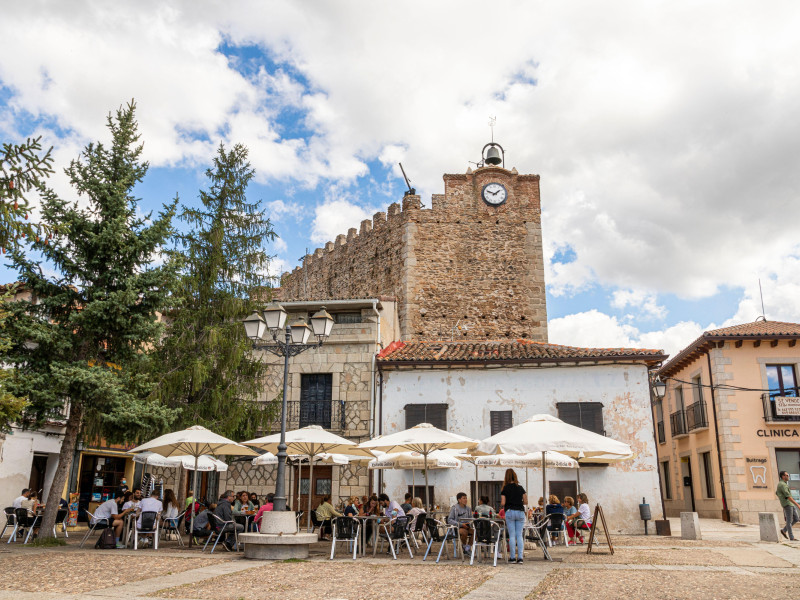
<point>730,420</point>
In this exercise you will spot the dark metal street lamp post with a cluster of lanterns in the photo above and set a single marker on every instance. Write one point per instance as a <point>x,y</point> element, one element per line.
<point>297,336</point>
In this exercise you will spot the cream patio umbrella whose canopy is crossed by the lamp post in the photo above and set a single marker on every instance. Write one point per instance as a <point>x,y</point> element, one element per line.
<point>310,442</point>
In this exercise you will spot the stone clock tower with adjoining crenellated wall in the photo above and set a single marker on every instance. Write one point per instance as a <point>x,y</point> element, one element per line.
<point>474,257</point>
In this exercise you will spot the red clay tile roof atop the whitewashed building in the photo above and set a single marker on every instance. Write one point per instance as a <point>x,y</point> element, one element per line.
<point>512,351</point>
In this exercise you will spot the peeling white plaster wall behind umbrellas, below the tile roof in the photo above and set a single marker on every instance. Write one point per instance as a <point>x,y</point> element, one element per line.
<point>472,393</point>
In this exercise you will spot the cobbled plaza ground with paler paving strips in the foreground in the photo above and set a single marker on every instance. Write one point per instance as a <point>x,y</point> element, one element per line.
<point>729,563</point>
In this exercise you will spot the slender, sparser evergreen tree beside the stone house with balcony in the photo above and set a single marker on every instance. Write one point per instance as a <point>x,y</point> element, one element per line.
<point>206,365</point>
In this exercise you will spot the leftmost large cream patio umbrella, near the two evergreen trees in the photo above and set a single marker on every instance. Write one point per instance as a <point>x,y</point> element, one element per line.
<point>195,442</point>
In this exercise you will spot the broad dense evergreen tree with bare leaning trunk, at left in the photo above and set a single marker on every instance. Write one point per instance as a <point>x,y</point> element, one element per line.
<point>80,340</point>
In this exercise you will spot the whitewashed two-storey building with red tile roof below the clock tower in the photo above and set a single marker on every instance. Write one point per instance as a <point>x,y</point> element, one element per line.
<point>479,388</point>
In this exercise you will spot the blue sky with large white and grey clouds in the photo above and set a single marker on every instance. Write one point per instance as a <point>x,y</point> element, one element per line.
<point>666,136</point>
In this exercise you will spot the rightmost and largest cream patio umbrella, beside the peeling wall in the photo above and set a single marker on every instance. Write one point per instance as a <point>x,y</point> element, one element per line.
<point>546,433</point>
